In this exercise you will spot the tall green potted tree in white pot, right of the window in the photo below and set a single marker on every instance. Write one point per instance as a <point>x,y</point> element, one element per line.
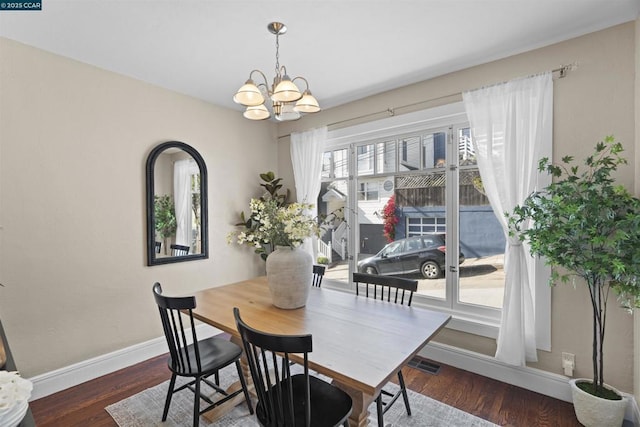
<point>586,226</point>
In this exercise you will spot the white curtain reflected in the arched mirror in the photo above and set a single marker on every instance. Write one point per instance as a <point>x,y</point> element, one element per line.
<point>182,171</point>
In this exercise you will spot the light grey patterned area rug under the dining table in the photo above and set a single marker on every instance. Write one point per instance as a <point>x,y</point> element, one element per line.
<point>145,410</point>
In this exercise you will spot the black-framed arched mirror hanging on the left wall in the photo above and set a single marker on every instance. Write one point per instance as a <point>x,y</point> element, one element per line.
<point>176,204</point>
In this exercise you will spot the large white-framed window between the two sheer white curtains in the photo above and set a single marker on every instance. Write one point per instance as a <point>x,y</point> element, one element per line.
<point>431,199</point>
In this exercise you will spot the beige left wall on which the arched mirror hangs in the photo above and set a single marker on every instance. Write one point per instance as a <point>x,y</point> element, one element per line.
<point>73,145</point>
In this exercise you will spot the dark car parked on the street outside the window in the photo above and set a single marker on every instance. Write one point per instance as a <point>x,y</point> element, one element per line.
<point>424,254</point>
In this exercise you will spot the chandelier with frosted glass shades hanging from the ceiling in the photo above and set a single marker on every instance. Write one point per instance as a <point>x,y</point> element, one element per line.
<point>287,102</point>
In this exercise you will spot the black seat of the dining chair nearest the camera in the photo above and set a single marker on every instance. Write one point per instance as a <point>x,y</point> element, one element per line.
<point>329,404</point>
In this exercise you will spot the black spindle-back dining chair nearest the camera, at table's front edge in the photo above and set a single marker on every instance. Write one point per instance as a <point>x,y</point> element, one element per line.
<point>286,399</point>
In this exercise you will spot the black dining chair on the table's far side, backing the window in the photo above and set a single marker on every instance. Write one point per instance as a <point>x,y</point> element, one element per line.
<point>399,291</point>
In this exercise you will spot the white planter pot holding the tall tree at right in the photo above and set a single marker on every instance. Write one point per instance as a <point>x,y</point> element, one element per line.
<point>593,411</point>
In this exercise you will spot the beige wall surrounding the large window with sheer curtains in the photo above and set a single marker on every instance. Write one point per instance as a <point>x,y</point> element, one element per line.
<point>595,100</point>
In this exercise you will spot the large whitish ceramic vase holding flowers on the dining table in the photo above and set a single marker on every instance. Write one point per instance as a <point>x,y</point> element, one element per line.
<point>289,274</point>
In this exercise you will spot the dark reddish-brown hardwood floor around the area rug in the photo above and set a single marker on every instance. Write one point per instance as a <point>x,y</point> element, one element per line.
<point>500,403</point>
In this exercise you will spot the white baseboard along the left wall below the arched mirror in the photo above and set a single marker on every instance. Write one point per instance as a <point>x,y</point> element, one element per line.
<point>78,373</point>
